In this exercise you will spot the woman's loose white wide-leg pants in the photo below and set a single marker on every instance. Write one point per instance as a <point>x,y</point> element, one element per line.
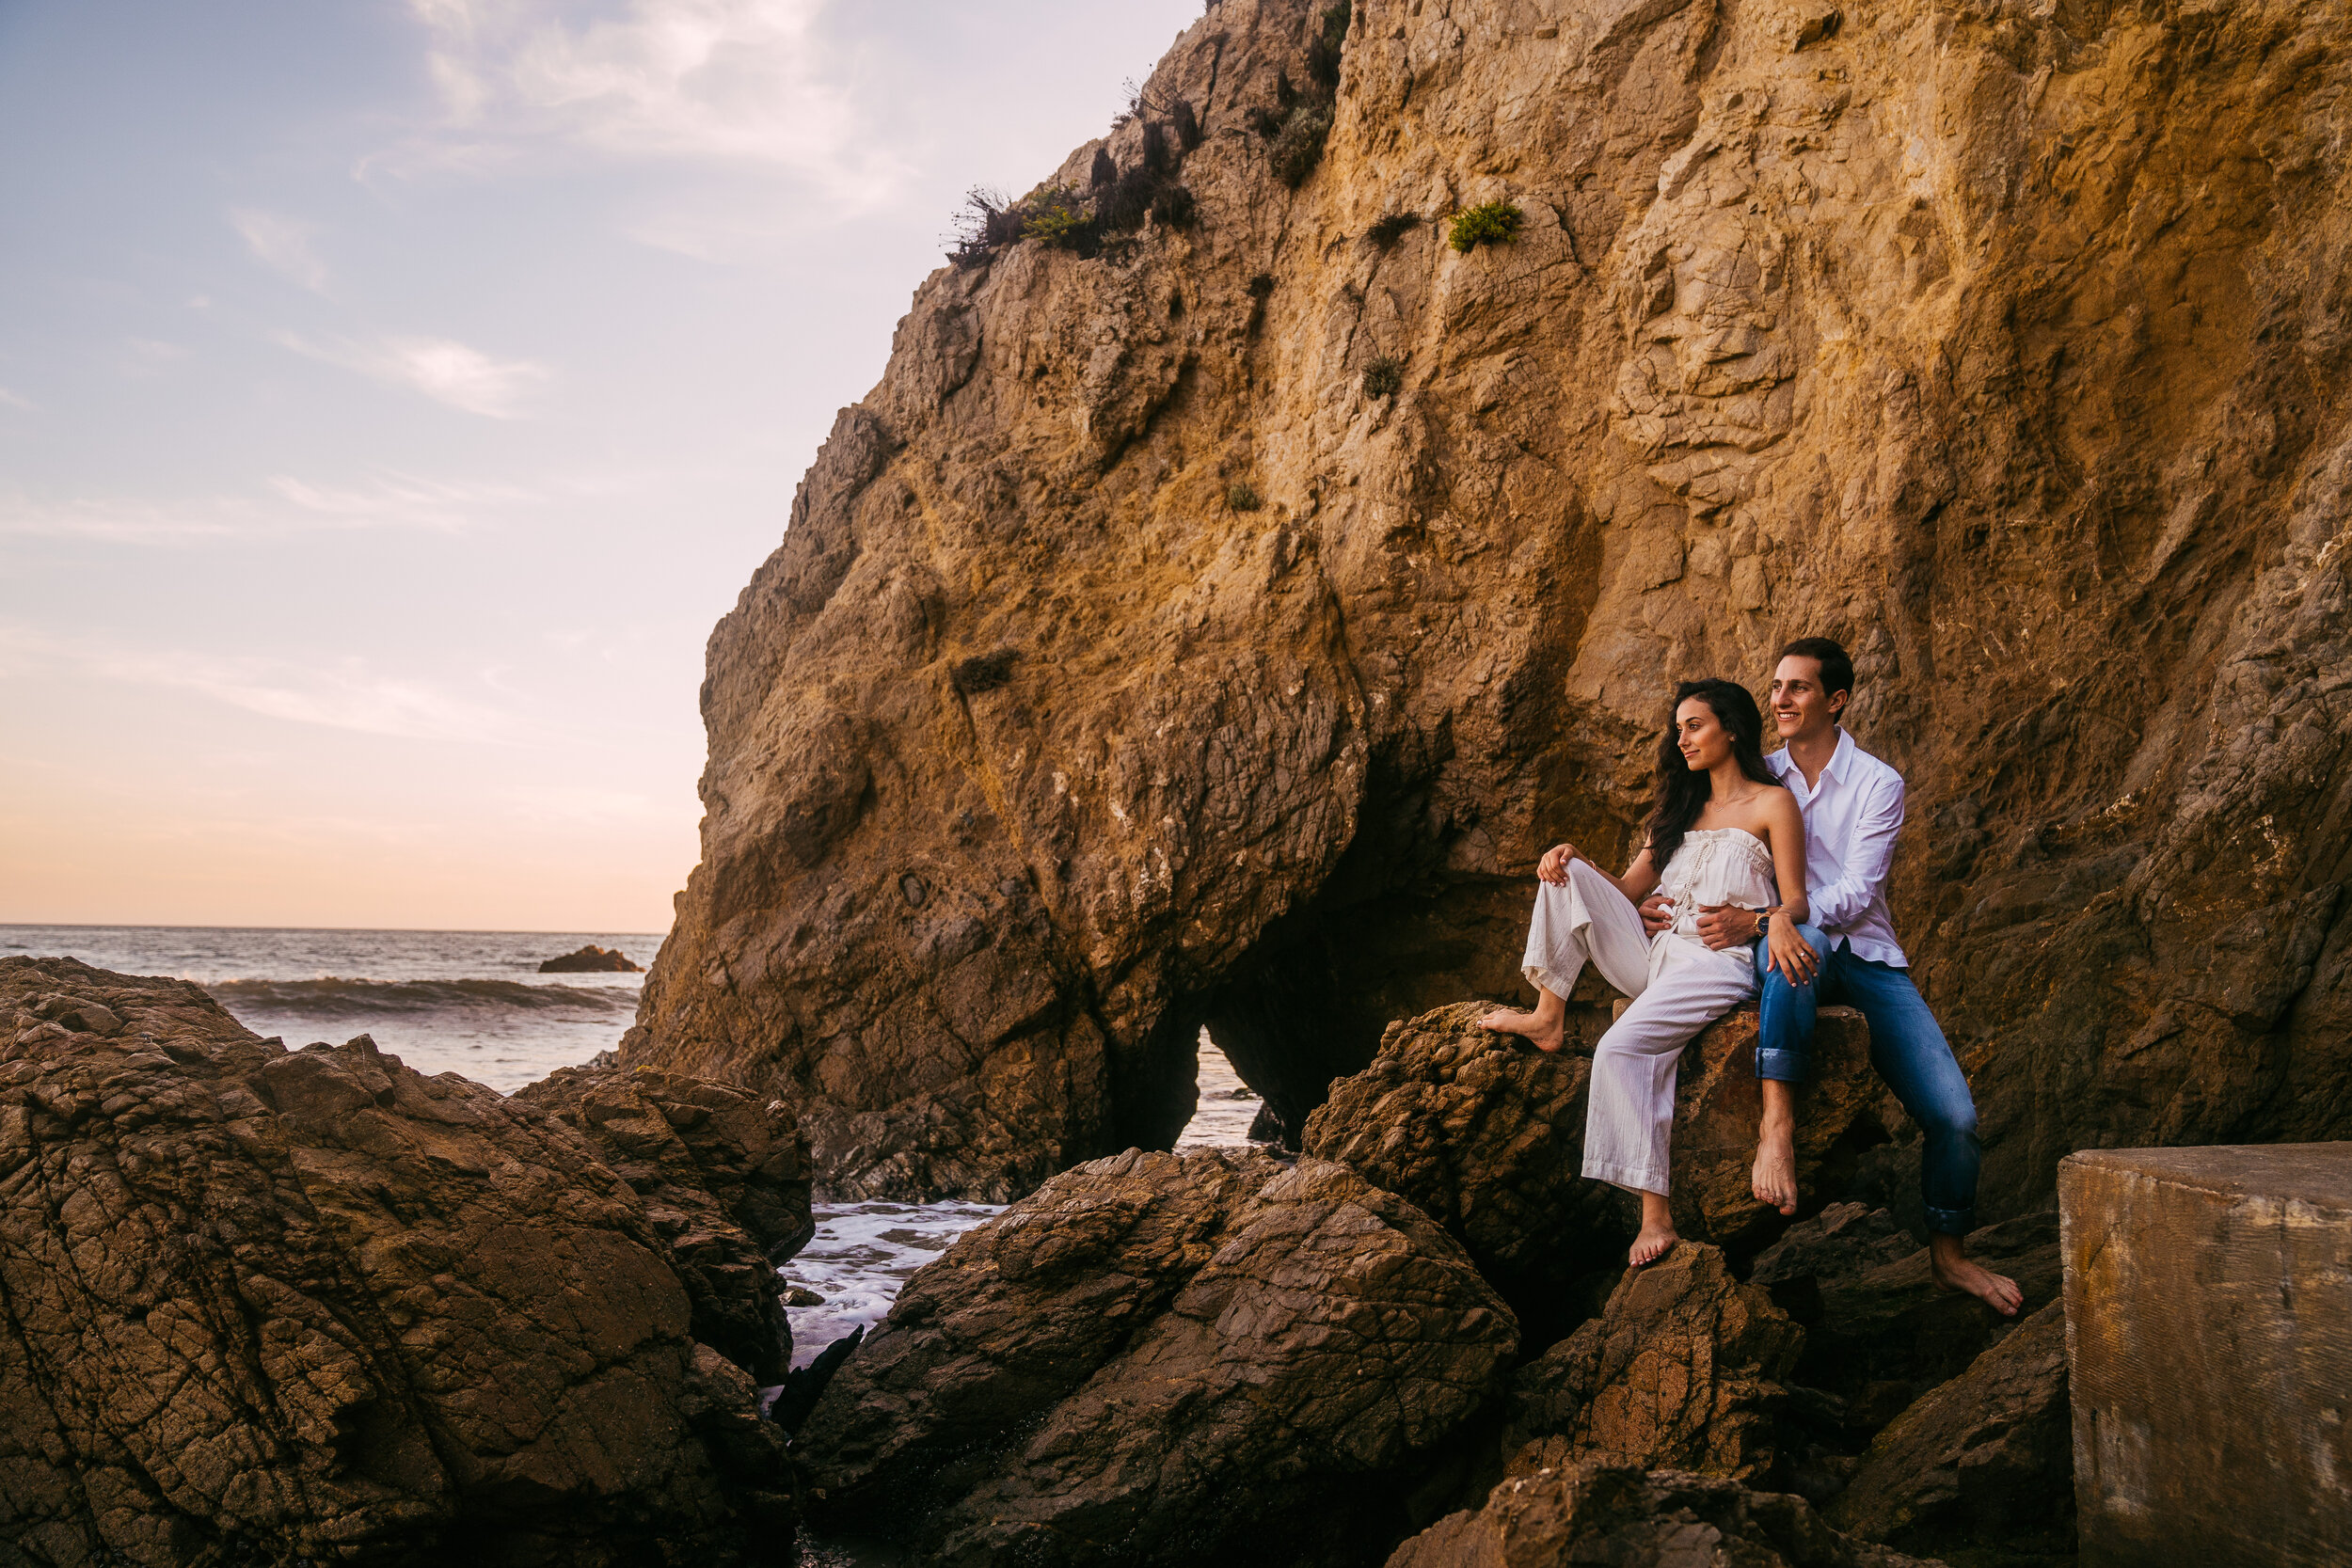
<point>1678,989</point>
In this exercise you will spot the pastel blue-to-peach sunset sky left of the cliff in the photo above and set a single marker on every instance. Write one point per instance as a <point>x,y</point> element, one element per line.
<point>396,391</point>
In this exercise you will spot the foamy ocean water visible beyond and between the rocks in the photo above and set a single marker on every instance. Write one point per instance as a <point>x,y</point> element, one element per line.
<point>474,1003</point>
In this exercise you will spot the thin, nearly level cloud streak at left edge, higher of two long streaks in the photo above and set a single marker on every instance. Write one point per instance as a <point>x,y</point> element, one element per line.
<point>281,509</point>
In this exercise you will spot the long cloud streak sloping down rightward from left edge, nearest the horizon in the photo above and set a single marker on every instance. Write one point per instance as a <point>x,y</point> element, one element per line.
<point>328,692</point>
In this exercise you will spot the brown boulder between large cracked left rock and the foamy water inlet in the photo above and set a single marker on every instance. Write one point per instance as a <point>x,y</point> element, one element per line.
<point>726,1181</point>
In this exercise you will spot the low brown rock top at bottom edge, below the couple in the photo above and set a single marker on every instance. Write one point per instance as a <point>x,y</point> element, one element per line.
<point>1657,1520</point>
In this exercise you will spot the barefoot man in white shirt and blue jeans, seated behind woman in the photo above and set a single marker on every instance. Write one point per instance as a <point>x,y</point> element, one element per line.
<point>1852,815</point>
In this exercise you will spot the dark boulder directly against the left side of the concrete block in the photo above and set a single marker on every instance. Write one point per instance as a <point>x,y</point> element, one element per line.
<point>1982,1461</point>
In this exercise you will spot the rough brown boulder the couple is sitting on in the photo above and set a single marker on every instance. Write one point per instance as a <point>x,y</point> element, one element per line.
<point>1485,1134</point>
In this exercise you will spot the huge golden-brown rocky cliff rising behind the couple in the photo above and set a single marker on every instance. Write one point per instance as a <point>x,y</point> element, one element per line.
<point>1220,605</point>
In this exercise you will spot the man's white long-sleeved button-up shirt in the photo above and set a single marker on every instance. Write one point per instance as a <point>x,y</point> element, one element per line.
<point>1852,819</point>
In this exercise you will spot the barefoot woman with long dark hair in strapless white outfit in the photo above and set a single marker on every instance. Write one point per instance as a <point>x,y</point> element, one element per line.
<point>1728,833</point>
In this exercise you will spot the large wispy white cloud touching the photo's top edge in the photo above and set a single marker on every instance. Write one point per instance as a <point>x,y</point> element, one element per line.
<point>719,81</point>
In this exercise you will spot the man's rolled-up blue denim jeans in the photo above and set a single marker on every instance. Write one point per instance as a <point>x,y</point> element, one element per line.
<point>1909,1052</point>
